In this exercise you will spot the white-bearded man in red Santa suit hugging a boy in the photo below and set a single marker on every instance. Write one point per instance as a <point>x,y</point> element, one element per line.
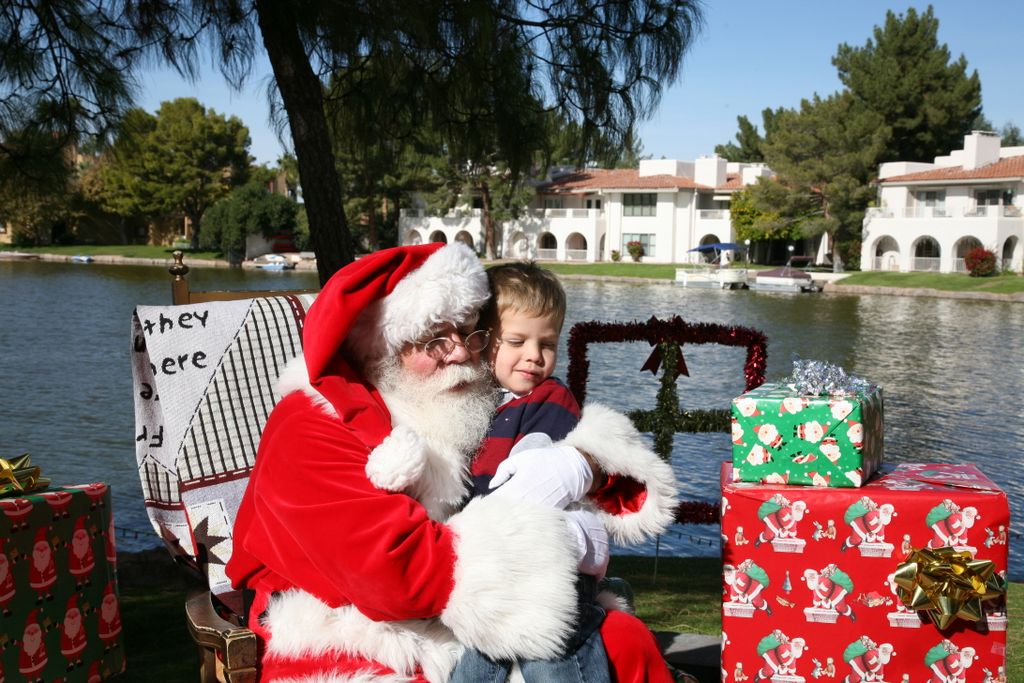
<point>351,580</point>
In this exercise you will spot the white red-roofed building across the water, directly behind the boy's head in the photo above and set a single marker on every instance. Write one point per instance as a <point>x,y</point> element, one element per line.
<point>583,216</point>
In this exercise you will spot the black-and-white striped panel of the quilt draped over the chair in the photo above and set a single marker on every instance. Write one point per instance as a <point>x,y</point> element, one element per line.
<point>222,441</point>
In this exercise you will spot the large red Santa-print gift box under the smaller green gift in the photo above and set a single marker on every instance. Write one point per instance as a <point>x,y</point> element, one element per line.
<point>808,592</point>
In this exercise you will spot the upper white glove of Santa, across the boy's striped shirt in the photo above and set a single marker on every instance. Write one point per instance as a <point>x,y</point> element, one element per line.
<point>554,477</point>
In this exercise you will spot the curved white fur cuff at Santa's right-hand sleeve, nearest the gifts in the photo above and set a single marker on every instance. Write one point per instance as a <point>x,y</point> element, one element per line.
<point>617,447</point>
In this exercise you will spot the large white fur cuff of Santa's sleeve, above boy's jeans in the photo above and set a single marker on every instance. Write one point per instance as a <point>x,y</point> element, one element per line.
<point>515,594</point>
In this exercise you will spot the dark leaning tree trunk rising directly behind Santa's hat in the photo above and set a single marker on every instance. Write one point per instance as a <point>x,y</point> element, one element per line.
<point>302,93</point>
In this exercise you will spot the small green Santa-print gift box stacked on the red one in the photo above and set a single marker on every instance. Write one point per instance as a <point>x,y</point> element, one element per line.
<point>781,437</point>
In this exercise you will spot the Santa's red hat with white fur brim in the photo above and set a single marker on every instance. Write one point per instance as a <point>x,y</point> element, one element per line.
<point>387,300</point>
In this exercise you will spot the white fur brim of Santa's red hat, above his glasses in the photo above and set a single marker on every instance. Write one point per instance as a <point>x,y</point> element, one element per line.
<point>450,287</point>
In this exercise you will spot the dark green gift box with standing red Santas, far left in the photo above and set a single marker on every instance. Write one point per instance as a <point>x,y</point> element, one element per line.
<point>60,617</point>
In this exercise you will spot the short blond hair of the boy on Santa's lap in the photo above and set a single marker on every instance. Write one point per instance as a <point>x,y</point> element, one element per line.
<point>524,288</point>
